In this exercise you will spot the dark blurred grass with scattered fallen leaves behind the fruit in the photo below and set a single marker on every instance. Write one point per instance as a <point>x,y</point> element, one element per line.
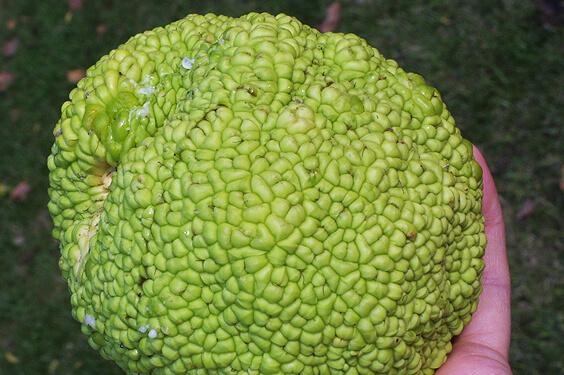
<point>498,64</point>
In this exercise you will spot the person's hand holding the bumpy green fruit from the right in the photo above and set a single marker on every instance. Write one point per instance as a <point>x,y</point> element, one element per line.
<point>482,347</point>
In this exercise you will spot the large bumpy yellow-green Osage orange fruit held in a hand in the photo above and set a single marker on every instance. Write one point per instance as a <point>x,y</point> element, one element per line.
<point>251,196</point>
